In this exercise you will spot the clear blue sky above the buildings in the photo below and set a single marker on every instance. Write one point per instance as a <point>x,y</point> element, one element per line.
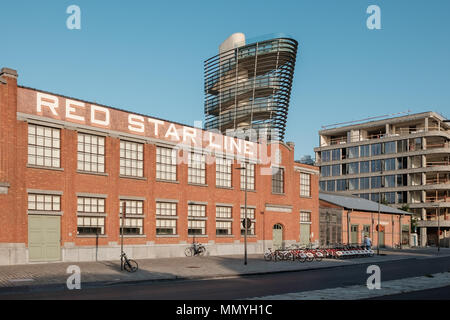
<point>147,56</point>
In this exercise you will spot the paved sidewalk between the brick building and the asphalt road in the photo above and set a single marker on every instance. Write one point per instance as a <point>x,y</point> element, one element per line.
<point>53,275</point>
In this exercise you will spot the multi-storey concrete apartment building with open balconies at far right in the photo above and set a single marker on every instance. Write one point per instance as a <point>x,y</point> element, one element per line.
<point>405,159</point>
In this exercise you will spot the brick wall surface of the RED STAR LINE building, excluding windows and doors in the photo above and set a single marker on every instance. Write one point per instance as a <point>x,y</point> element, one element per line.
<point>18,109</point>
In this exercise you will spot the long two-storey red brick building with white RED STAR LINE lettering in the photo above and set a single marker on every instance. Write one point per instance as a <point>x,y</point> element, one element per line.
<point>68,166</point>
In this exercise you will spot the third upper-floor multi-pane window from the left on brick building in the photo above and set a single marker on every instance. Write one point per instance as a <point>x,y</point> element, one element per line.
<point>131,159</point>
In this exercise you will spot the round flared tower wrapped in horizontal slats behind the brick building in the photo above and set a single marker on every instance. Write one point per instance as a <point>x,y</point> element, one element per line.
<point>248,86</point>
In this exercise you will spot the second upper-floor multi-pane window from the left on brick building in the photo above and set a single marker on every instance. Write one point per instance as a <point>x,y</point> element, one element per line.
<point>91,153</point>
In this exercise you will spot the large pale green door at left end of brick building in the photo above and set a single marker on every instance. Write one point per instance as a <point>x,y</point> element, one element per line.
<point>44,238</point>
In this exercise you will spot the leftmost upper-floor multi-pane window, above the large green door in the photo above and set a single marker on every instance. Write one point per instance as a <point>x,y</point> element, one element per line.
<point>43,146</point>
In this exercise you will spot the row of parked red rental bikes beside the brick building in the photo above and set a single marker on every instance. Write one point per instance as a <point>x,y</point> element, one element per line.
<point>304,253</point>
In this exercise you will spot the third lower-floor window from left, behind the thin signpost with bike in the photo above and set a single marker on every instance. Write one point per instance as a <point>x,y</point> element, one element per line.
<point>134,217</point>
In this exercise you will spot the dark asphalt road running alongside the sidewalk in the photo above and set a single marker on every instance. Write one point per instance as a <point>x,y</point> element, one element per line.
<point>249,286</point>
